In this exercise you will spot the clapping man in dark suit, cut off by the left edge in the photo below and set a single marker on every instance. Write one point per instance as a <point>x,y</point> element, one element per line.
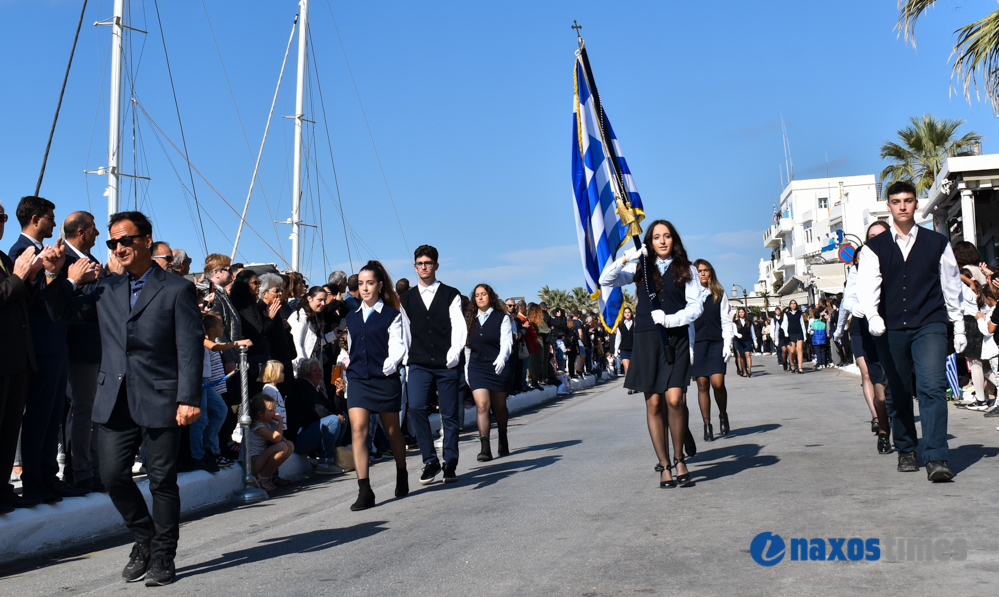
<point>17,358</point>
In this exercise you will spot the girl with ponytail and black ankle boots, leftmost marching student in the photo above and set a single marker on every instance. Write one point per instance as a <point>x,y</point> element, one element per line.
<point>376,347</point>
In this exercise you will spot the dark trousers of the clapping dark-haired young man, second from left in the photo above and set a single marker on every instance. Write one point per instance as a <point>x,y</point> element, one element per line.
<point>43,419</point>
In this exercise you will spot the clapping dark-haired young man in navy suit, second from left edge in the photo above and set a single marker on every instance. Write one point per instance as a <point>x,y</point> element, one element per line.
<point>44,405</point>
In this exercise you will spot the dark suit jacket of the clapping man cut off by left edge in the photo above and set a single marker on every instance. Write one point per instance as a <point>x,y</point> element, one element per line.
<point>17,353</point>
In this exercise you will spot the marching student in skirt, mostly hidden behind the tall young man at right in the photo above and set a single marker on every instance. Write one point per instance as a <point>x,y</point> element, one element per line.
<point>865,351</point>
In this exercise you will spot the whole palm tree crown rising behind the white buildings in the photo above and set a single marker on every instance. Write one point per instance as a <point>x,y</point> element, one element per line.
<point>923,148</point>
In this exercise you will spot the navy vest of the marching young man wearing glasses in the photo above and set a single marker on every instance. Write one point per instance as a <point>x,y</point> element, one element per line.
<point>430,329</point>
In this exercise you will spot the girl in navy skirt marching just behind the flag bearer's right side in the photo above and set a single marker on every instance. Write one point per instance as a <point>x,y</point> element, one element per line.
<point>713,332</point>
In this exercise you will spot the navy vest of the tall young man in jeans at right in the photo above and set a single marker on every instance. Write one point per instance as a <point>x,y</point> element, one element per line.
<point>911,296</point>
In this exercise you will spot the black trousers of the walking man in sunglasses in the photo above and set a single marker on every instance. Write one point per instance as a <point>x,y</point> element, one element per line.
<point>119,440</point>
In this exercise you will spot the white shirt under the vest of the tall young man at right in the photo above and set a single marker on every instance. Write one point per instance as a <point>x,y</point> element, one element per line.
<point>869,278</point>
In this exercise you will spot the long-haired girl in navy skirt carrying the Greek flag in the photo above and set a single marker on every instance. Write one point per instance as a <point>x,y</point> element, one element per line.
<point>662,371</point>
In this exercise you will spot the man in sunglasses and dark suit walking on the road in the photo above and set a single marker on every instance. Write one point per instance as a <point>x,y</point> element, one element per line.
<point>149,384</point>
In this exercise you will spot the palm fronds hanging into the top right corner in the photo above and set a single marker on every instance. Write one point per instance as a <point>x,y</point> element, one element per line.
<point>976,48</point>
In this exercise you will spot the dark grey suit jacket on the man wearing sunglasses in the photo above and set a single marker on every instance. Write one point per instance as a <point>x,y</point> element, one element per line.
<point>155,348</point>
